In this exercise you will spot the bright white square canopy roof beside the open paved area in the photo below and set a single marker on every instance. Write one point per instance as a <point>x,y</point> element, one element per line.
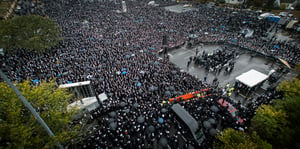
<point>251,78</point>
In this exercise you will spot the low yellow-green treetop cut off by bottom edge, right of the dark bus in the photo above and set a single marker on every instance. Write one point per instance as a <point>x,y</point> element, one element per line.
<point>231,138</point>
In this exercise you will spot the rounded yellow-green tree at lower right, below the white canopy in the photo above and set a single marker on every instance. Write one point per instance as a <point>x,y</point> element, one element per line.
<point>271,125</point>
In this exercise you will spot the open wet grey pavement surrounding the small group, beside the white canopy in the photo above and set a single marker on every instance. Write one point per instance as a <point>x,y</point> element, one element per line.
<point>244,63</point>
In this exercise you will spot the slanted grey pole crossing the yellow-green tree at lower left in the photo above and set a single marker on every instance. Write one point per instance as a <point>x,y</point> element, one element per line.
<point>31,109</point>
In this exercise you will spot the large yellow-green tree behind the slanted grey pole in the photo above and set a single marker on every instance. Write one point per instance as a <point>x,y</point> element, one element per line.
<point>19,129</point>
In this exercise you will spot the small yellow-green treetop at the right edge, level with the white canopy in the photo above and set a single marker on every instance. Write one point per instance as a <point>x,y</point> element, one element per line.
<point>290,88</point>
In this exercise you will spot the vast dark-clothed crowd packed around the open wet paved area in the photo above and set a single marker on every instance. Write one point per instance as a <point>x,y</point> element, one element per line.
<point>118,53</point>
